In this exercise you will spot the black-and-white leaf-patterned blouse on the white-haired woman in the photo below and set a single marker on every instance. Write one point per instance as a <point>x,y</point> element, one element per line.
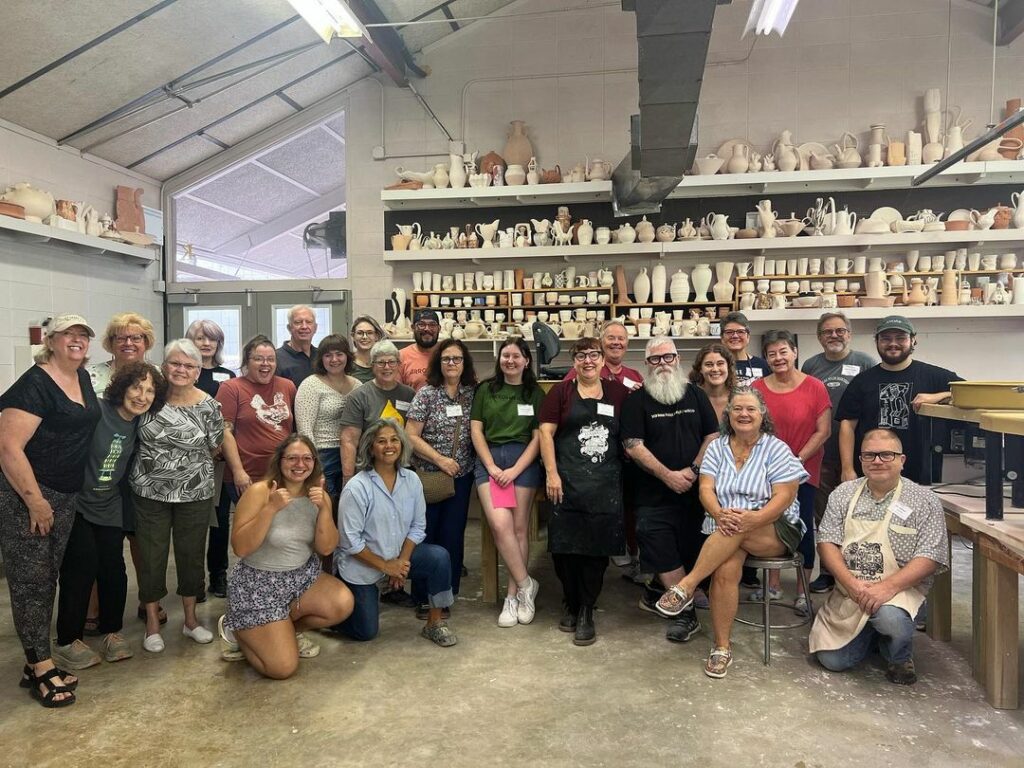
<point>175,462</point>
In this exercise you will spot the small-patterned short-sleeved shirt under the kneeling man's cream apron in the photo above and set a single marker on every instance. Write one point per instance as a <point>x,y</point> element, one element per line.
<point>923,534</point>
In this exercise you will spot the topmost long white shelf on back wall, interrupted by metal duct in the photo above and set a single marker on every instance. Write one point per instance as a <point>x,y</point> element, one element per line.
<point>719,186</point>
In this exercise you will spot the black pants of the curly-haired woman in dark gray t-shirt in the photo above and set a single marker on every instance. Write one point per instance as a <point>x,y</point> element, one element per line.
<point>95,553</point>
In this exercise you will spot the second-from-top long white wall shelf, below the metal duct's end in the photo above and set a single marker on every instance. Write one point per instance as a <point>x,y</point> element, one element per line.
<point>750,246</point>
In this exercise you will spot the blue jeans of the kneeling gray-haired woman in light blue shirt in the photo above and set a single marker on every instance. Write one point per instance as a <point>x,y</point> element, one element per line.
<point>430,565</point>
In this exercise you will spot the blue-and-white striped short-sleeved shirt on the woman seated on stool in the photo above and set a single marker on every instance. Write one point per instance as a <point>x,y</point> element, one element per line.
<point>772,462</point>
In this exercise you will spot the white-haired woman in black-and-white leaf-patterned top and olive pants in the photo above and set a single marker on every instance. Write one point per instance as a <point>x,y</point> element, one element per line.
<point>173,485</point>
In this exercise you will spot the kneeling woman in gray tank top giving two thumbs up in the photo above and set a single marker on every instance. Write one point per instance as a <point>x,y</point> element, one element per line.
<point>283,525</point>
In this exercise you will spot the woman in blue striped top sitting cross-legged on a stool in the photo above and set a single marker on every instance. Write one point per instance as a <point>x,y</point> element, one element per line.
<point>749,484</point>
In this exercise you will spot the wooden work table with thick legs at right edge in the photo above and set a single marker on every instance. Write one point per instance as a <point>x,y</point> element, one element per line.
<point>998,560</point>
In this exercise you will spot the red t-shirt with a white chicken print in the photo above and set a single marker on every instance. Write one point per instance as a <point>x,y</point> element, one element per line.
<point>263,416</point>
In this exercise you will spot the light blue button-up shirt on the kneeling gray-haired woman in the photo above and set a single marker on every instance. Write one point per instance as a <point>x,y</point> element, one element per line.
<point>375,519</point>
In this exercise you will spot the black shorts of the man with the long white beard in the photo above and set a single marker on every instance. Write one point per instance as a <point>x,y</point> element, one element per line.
<point>670,537</point>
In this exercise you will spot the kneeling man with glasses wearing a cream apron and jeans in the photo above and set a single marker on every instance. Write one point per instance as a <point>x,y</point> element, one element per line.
<point>884,538</point>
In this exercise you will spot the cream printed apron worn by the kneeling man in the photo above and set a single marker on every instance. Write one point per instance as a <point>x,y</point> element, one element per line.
<point>841,620</point>
